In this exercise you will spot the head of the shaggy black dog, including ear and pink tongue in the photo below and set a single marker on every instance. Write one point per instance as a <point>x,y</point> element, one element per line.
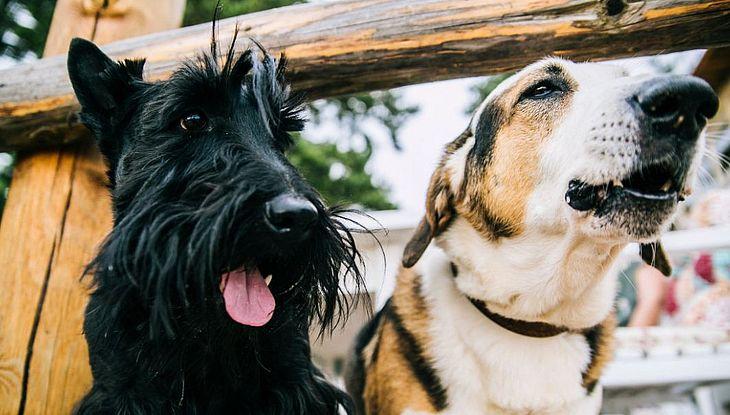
<point>209,214</point>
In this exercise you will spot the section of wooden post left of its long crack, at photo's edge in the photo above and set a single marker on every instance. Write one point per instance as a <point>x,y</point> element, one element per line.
<point>28,235</point>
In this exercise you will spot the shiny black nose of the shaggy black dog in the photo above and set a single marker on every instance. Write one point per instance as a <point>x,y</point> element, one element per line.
<point>290,214</point>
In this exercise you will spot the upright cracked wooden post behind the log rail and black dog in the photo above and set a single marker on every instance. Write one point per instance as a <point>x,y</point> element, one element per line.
<point>56,214</point>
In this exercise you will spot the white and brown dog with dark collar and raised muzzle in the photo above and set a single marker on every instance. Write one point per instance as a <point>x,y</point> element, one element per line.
<point>511,311</point>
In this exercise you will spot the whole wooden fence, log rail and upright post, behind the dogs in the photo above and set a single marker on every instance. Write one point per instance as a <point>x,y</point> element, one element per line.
<point>58,210</point>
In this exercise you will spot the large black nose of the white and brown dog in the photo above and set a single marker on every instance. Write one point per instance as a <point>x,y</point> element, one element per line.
<point>674,103</point>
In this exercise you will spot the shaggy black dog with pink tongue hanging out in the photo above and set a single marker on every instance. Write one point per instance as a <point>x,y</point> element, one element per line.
<point>185,317</point>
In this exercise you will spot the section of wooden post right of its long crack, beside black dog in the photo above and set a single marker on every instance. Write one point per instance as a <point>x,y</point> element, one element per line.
<point>59,371</point>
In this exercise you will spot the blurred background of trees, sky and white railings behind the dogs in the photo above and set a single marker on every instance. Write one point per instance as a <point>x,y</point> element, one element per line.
<point>376,151</point>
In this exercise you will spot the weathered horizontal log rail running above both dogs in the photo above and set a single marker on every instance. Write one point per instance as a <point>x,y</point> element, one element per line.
<point>360,45</point>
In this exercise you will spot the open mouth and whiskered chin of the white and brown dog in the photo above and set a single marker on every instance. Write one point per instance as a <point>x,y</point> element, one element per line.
<point>634,208</point>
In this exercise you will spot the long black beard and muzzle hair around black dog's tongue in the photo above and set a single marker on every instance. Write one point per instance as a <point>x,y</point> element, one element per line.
<point>174,239</point>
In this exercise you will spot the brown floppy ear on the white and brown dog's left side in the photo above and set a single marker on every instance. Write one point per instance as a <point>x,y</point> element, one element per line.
<point>439,211</point>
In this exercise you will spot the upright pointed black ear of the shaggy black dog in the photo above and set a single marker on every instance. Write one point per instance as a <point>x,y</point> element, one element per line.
<point>100,83</point>
